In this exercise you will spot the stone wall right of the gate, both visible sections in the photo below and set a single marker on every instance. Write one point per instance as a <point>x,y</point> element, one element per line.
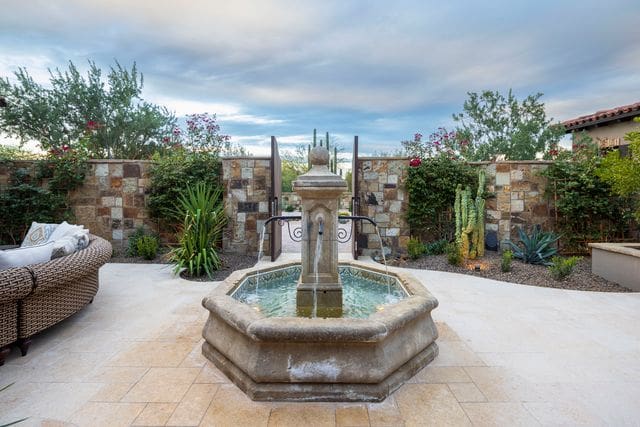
<point>518,200</point>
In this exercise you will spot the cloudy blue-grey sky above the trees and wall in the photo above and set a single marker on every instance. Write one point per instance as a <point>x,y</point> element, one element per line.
<point>378,69</point>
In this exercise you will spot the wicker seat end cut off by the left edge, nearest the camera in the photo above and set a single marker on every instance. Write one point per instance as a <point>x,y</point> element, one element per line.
<point>15,284</point>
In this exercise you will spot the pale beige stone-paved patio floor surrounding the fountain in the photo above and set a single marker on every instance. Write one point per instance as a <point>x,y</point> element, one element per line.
<point>509,355</point>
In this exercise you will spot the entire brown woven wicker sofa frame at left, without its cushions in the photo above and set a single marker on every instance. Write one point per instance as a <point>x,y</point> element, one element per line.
<point>40,295</point>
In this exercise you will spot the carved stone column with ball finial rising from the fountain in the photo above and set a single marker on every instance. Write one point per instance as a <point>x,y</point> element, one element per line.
<point>319,288</point>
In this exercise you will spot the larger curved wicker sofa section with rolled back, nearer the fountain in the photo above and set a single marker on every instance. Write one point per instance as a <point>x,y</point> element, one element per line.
<point>62,287</point>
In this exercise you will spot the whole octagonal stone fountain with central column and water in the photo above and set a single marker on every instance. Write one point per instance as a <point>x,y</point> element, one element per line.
<point>328,346</point>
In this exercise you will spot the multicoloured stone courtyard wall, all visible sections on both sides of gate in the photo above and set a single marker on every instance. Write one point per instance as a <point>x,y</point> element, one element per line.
<point>112,201</point>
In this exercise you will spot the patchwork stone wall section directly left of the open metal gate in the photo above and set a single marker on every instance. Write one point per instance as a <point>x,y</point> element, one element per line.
<point>247,184</point>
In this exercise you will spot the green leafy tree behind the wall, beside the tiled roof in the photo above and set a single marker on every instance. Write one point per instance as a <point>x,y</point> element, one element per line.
<point>491,125</point>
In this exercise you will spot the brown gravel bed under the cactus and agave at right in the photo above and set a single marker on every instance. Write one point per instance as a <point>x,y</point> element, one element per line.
<point>527,274</point>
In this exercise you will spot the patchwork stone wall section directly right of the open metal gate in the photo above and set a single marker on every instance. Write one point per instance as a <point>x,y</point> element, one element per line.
<point>382,197</point>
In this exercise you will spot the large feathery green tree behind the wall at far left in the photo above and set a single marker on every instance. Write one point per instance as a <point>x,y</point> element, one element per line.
<point>111,117</point>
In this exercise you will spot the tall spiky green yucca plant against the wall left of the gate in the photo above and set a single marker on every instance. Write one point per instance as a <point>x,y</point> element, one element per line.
<point>202,210</point>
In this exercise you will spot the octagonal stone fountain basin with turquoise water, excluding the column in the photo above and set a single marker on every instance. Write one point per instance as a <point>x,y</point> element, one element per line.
<point>385,336</point>
